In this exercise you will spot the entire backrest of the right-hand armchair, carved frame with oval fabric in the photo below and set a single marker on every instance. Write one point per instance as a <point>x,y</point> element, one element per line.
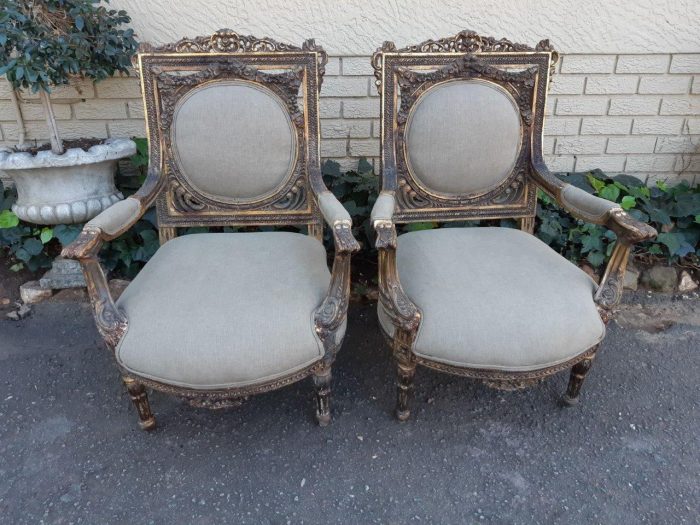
<point>461,121</point>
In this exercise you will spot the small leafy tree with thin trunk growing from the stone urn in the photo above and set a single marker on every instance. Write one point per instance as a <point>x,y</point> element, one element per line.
<point>46,43</point>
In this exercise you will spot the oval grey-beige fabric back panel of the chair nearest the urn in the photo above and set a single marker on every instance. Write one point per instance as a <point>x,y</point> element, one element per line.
<point>233,140</point>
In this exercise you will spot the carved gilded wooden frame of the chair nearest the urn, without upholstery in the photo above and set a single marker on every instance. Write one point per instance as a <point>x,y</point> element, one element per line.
<point>283,69</point>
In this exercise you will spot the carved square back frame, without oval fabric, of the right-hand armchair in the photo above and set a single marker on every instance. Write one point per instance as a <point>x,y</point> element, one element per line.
<point>402,75</point>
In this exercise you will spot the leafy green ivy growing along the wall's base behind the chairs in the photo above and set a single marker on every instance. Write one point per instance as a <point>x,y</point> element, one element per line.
<point>673,210</point>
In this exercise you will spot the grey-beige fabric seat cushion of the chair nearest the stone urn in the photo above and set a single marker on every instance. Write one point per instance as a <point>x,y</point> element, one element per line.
<point>223,310</point>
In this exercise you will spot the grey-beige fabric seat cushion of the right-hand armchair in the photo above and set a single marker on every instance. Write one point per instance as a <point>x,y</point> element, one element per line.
<point>495,298</point>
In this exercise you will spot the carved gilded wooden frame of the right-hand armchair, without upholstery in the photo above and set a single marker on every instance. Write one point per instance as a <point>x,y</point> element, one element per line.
<point>402,75</point>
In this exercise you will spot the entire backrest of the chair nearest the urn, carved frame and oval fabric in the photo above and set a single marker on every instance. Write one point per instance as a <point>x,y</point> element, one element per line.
<point>233,124</point>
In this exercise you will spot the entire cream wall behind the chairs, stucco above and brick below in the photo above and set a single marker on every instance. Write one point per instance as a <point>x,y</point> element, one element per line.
<point>625,99</point>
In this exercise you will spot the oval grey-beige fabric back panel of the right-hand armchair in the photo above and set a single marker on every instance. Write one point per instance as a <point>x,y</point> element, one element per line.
<point>463,137</point>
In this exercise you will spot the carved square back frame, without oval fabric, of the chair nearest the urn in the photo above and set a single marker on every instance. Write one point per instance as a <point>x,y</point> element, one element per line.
<point>282,68</point>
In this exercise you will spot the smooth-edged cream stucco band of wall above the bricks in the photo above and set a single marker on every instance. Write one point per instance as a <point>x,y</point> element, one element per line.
<point>357,27</point>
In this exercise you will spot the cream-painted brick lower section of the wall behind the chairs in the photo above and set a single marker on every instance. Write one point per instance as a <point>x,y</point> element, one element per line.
<point>634,114</point>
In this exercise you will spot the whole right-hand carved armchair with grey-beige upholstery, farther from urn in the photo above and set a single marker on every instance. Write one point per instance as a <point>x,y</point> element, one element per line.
<point>462,140</point>
